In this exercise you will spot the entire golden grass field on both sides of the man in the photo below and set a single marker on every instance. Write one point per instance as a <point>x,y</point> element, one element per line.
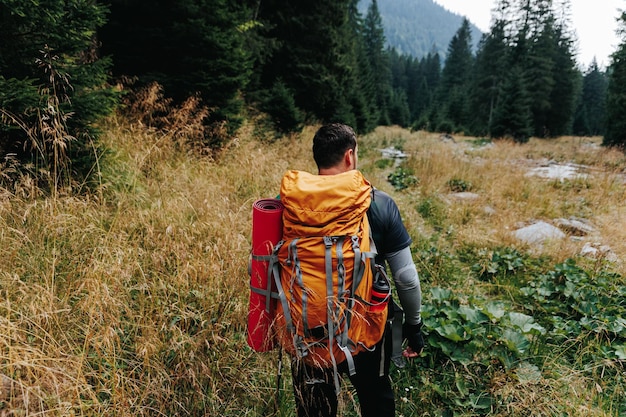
<point>131,299</point>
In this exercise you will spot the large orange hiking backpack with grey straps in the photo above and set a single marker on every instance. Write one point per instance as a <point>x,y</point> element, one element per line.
<point>324,270</point>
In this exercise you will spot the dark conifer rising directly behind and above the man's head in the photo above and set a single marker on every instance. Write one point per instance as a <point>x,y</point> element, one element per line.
<point>315,59</point>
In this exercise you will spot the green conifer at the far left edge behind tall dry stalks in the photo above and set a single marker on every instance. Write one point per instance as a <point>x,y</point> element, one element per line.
<point>52,81</point>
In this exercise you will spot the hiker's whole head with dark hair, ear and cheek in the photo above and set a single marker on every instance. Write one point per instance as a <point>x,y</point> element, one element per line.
<point>335,149</point>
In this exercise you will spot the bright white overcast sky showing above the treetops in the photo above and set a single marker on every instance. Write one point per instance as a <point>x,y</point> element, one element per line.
<point>593,20</point>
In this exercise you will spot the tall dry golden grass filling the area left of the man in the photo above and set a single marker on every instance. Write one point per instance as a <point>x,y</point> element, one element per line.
<point>132,300</point>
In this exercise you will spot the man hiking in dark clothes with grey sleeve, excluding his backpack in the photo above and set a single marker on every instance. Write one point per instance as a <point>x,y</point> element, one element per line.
<point>335,152</point>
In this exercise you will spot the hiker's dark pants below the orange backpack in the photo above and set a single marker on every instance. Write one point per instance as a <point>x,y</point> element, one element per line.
<point>314,388</point>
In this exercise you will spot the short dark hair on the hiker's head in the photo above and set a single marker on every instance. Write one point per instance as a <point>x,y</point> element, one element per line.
<point>331,142</point>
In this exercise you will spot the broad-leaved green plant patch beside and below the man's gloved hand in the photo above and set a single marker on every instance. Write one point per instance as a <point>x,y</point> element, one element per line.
<point>483,337</point>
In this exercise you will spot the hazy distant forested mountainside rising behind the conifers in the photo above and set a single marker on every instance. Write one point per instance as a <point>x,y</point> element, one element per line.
<point>417,27</point>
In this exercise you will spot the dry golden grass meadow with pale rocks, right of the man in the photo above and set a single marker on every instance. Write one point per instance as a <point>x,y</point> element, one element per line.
<point>507,196</point>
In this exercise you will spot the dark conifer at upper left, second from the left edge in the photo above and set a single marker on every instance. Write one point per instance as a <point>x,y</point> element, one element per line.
<point>188,46</point>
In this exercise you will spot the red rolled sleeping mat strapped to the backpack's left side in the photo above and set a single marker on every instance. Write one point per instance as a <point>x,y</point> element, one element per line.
<point>267,230</point>
